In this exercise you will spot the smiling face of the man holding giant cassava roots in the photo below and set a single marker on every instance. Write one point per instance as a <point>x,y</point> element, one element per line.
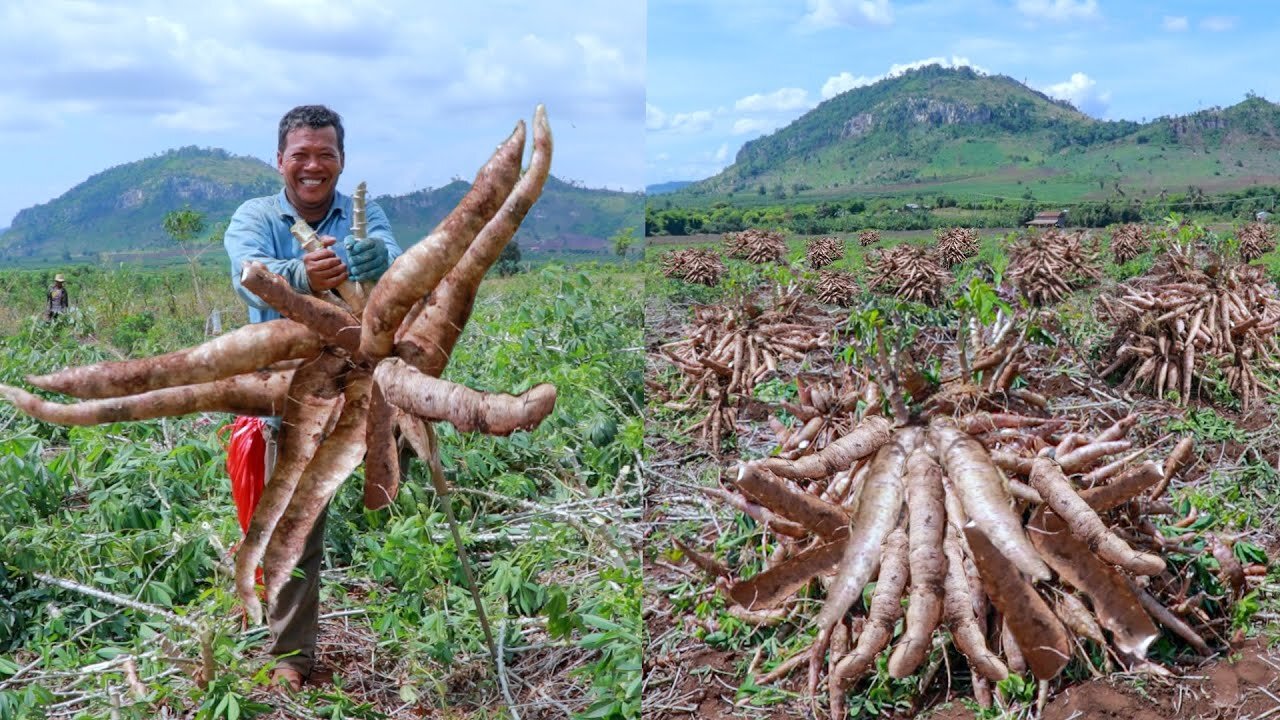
<point>310,166</point>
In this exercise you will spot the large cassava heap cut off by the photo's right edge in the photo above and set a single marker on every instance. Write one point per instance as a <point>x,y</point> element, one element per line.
<point>1191,318</point>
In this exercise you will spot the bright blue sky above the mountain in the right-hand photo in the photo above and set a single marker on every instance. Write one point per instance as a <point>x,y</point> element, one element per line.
<point>724,72</point>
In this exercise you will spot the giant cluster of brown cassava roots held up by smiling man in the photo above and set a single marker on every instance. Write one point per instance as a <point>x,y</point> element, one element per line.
<point>341,381</point>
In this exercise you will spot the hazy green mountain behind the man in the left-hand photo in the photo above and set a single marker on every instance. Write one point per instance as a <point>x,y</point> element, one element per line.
<point>120,212</point>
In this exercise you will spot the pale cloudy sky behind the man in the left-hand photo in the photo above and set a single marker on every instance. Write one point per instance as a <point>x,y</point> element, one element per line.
<point>427,90</point>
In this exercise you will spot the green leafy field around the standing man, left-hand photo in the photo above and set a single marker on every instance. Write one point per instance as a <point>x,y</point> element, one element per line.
<point>141,512</point>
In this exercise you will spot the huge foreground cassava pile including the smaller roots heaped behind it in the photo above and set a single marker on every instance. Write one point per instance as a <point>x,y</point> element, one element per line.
<point>1021,540</point>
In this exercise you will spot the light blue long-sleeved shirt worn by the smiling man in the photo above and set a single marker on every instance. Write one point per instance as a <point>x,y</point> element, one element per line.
<point>260,231</point>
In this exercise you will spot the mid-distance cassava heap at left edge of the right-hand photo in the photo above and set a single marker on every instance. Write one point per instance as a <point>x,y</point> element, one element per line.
<point>732,348</point>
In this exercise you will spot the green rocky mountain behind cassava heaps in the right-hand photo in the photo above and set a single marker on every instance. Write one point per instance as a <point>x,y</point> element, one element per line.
<point>938,131</point>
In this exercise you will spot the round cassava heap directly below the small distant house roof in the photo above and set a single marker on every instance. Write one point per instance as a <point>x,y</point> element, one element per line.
<point>1045,267</point>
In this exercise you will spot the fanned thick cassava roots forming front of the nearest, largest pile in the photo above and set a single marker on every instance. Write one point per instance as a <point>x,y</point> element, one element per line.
<point>958,517</point>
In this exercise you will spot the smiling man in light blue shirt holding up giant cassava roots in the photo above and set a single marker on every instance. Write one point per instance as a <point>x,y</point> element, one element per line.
<point>310,157</point>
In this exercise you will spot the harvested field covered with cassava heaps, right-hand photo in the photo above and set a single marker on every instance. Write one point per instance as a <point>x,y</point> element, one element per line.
<point>767,539</point>
